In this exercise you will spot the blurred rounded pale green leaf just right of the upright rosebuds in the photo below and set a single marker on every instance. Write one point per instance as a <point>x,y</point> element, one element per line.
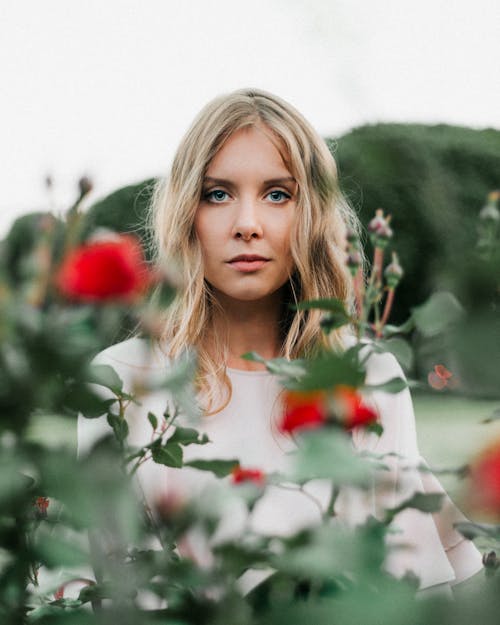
<point>437,314</point>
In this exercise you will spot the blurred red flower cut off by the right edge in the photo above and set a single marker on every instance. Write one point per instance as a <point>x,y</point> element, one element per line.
<point>484,486</point>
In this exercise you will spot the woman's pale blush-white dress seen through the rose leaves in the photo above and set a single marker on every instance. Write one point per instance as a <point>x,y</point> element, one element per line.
<point>245,430</point>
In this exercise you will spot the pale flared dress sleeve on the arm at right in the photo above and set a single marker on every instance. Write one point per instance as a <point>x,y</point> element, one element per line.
<point>426,544</point>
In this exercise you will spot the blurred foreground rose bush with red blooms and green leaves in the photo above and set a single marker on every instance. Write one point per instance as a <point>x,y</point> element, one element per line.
<point>60,514</point>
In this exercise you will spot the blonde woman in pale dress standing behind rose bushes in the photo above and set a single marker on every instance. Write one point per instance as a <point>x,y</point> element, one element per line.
<point>252,214</point>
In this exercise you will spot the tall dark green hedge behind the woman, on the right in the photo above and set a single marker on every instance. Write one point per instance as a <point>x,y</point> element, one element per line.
<point>433,181</point>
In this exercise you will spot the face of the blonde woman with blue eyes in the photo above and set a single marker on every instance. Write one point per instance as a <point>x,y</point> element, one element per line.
<point>247,209</point>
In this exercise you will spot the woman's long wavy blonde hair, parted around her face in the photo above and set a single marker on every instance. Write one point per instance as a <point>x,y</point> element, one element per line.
<point>317,243</point>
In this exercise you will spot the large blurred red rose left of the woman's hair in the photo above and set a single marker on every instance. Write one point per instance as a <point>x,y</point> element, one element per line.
<point>114,269</point>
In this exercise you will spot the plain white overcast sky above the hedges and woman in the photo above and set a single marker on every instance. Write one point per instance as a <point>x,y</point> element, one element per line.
<point>108,87</point>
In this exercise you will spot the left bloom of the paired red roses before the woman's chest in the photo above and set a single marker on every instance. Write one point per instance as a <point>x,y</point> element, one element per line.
<point>303,410</point>
